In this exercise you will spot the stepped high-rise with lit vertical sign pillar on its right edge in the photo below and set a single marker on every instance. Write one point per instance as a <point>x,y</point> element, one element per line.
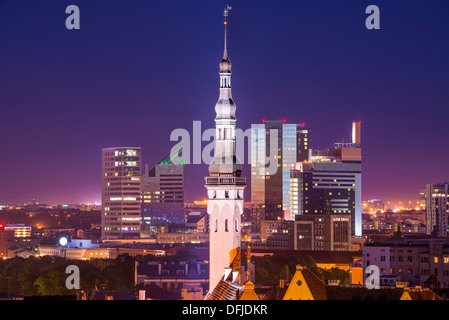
<point>330,183</point>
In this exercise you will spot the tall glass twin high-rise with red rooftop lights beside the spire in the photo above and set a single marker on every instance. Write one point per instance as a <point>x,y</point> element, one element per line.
<point>283,144</point>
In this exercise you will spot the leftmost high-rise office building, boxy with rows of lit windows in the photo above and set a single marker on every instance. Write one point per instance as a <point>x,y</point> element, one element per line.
<point>120,197</point>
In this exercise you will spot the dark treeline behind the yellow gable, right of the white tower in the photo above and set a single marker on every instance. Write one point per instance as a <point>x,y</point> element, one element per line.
<point>272,269</point>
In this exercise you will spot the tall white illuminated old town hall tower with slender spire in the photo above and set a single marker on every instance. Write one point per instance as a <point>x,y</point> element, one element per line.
<point>224,185</point>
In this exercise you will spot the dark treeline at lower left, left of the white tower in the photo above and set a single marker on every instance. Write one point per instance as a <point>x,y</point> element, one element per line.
<point>47,275</point>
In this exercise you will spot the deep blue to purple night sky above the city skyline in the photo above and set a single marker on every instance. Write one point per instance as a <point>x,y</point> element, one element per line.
<point>137,70</point>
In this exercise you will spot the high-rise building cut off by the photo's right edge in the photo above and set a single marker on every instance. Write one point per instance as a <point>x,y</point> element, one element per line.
<point>437,209</point>
